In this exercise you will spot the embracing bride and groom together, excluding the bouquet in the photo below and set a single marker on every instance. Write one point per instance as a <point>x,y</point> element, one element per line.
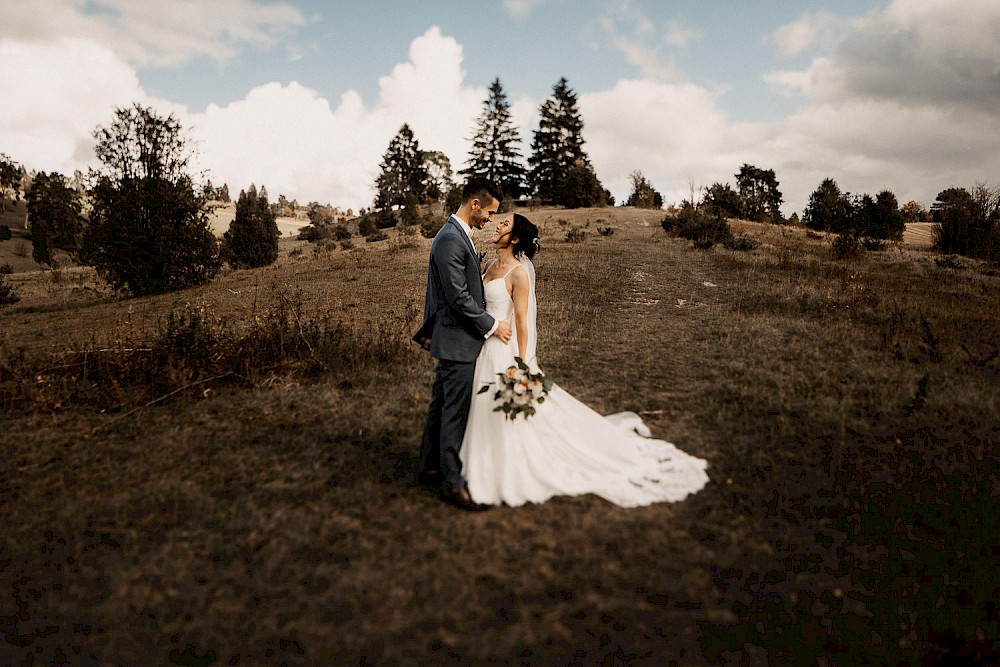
<point>475,324</point>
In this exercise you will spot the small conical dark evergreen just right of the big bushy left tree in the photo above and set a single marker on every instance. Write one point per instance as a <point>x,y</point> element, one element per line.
<point>252,238</point>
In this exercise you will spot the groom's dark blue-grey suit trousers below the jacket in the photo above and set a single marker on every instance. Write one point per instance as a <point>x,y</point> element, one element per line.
<point>447,417</point>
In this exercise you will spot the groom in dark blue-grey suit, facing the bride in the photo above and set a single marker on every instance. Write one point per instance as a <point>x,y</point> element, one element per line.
<point>455,326</point>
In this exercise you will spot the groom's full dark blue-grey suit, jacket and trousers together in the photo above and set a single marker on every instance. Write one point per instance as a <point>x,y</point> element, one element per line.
<point>454,330</point>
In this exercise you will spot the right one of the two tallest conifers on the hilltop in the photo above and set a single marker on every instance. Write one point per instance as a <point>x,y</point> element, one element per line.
<point>557,151</point>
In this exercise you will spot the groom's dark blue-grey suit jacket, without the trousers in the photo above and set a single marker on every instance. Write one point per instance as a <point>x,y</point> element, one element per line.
<point>455,317</point>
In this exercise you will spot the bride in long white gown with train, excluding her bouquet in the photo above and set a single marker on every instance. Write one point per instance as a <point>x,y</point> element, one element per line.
<point>565,448</point>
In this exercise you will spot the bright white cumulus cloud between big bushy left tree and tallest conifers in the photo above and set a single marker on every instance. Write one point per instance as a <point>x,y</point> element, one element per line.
<point>290,139</point>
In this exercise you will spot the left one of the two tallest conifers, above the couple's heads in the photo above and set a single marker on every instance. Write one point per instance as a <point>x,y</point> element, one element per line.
<point>494,153</point>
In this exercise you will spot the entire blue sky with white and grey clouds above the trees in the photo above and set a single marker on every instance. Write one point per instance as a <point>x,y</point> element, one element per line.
<point>304,96</point>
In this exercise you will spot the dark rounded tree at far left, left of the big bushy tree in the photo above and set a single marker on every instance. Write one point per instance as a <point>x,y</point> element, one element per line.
<point>54,211</point>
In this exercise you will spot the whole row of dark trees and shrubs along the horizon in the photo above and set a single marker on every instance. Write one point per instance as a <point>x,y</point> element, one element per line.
<point>144,225</point>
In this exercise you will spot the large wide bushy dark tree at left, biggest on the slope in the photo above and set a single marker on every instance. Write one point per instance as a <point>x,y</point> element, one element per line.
<point>148,231</point>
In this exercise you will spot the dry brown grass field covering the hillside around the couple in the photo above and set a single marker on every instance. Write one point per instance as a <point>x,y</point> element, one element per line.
<point>224,475</point>
